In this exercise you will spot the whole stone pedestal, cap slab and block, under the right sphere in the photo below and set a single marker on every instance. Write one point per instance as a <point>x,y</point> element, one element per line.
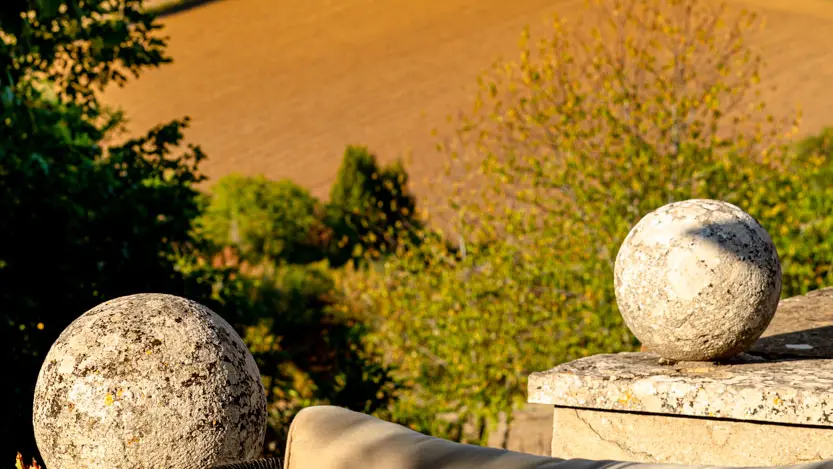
<point>770,406</point>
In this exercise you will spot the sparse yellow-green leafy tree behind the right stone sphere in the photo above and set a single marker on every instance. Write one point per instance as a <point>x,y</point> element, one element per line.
<point>567,147</point>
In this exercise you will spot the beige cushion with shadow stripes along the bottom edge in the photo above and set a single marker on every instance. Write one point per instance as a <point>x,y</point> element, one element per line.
<point>326,437</point>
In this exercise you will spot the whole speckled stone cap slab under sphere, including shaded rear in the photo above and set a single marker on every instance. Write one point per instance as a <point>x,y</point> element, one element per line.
<point>787,377</point>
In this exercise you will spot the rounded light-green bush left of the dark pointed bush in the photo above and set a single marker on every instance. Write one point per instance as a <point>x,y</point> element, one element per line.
<point>264,220</point>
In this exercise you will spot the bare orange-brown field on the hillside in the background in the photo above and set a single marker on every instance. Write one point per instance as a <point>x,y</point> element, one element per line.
<point>279,88</point>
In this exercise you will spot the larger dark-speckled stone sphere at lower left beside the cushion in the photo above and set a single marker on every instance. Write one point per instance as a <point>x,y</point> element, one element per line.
<point>148,381</point>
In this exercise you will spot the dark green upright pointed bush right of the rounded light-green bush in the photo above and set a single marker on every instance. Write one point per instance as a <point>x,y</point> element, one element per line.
<point>369,206</point>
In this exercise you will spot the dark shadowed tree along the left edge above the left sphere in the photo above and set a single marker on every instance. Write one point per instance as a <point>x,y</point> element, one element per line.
<point>82,222</point>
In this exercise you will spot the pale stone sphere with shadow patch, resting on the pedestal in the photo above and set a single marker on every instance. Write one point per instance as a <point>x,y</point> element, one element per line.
<point>697,280</point>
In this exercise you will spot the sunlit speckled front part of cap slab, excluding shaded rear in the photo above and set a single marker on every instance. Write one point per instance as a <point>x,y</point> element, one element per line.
<point>790,392</point>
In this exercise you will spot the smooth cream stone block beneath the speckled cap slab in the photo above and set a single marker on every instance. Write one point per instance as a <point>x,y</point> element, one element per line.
<point>621,436</point>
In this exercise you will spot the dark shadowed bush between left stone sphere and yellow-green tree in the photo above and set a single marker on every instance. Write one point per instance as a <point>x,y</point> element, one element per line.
<point>307,351</point>
